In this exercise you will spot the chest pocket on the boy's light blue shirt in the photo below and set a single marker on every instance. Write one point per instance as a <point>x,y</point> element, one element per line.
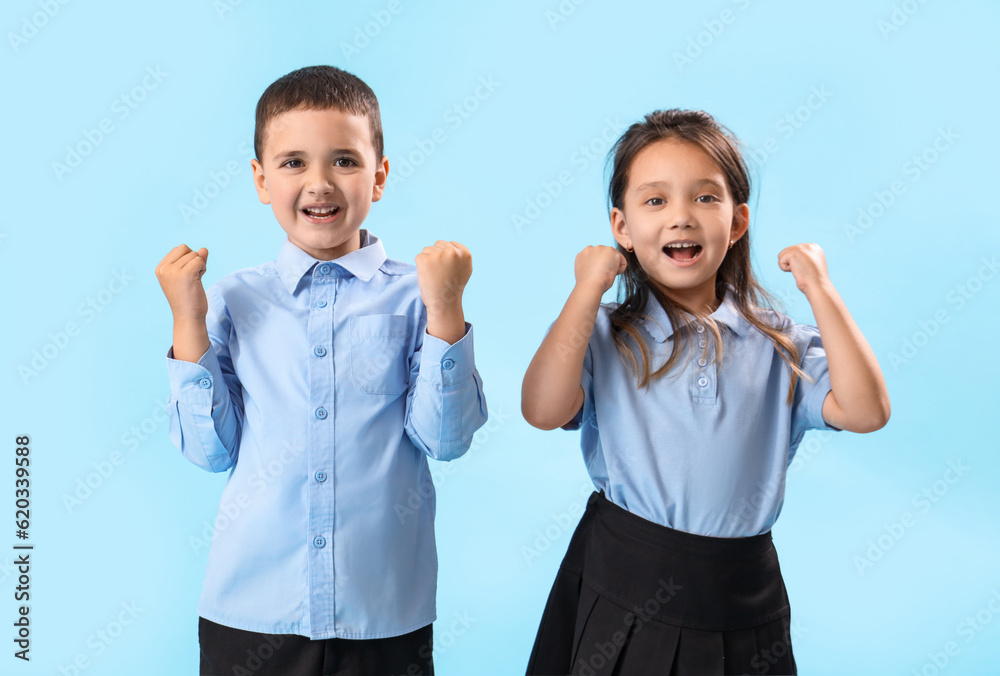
<point>379,361</point>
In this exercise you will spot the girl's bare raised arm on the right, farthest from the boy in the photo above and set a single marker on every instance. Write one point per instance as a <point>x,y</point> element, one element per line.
<point>858,399</point>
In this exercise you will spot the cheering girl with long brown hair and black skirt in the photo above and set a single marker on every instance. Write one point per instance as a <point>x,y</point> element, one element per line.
<point>692,398</point>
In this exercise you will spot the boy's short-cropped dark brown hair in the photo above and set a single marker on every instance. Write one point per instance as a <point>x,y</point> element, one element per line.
<point>318,87</point>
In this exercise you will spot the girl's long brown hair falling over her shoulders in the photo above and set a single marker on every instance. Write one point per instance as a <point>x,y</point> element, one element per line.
<point>700,129</point>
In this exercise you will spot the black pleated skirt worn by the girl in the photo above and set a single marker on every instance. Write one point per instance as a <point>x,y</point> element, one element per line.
<point>635,597</point>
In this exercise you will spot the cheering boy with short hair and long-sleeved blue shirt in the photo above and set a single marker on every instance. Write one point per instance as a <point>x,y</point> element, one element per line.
<point>322,380</point>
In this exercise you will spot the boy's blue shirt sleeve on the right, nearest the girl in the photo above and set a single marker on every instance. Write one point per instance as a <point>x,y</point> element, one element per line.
<point>445,402</point>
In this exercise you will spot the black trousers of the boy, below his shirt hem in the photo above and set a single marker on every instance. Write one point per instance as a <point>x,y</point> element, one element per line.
<point>226,651</point>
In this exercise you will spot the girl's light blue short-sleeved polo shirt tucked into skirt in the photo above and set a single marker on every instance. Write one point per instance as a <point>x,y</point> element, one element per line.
<point>705,448</point>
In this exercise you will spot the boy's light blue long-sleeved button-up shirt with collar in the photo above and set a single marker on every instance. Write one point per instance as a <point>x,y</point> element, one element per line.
<point>323,395</point>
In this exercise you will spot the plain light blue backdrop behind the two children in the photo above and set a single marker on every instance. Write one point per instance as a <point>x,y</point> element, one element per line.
<point>506,510</point>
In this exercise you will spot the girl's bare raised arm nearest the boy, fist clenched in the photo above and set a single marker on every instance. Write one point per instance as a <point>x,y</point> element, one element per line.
<point>551,393</point>
